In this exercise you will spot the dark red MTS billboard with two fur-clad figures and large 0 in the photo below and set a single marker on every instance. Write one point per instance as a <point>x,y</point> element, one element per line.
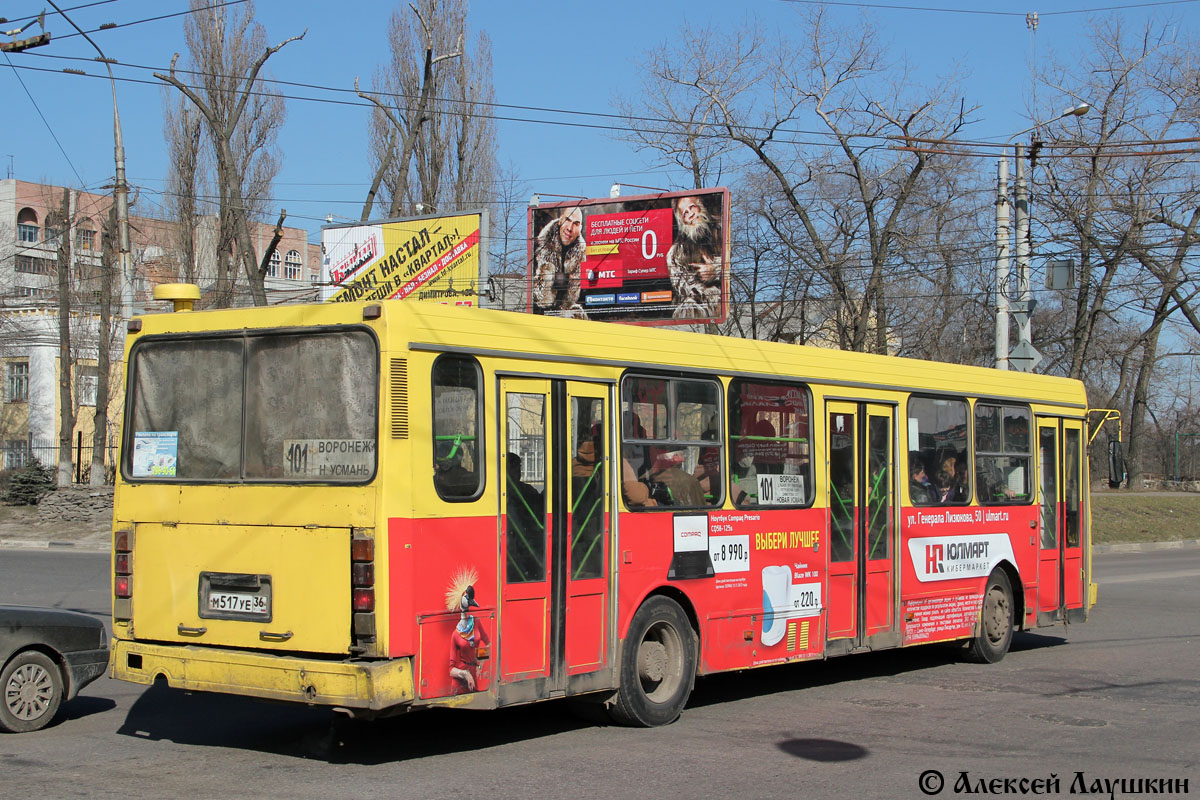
<point>655,260</point>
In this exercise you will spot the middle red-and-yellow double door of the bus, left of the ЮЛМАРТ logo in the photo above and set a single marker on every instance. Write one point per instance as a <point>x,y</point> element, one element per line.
<point>862,527</point>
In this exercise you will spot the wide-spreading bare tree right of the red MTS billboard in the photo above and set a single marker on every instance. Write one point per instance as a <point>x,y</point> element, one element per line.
<point>843,195</point>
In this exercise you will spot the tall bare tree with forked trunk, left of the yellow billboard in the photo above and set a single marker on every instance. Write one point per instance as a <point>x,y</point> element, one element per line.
<point>242,117</point>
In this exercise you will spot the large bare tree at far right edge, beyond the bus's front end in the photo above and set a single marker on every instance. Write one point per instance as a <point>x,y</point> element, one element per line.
<point>1125,196</point>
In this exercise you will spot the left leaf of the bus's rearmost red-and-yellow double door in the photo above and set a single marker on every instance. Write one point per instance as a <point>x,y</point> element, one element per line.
<point>527,513</point>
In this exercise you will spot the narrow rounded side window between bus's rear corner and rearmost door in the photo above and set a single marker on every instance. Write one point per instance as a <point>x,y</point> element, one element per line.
<point>458,410</point>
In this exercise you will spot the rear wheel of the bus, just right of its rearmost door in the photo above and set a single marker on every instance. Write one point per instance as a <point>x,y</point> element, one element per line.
<point>658,666</point>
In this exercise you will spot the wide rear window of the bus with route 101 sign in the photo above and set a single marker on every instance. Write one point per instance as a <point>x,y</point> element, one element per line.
<point>277,408</point>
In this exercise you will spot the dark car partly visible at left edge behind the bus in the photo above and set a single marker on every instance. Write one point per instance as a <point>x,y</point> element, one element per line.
<point>47,657</point>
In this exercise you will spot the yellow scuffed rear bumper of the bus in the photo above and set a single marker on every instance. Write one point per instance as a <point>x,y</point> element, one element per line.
<point>353,685</point>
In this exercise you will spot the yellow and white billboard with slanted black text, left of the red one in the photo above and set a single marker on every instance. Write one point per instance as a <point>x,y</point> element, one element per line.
<point>436,258</point>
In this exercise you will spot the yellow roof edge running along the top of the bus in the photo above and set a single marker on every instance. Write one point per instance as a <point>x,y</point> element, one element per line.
<point>442,328</point>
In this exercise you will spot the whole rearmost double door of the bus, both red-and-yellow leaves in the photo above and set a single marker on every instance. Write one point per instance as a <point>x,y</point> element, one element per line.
<point>555,546</point>
